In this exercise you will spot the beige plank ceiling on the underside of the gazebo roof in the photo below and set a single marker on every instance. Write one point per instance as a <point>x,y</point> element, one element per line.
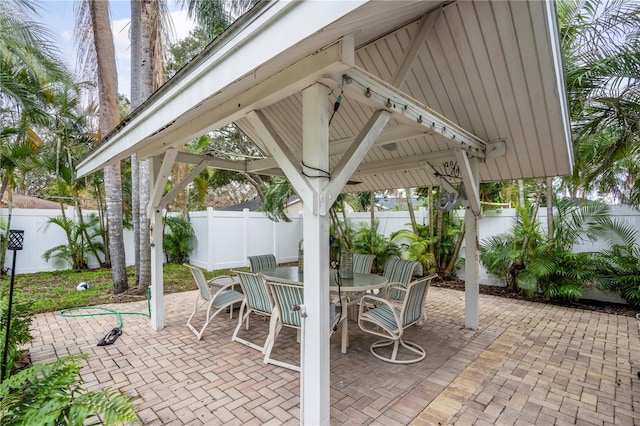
<point>487,66</point>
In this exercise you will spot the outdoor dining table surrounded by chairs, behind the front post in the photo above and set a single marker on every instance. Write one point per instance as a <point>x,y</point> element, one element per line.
<point>359,284</point>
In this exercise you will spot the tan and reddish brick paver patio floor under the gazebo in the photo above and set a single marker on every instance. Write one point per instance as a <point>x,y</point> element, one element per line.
<point>528,364</point>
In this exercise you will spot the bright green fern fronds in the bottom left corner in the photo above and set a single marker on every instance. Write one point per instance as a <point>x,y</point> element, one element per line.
<point>50,394</point>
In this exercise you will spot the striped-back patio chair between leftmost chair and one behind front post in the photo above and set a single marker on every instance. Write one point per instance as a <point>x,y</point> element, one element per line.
<point>257,300</point>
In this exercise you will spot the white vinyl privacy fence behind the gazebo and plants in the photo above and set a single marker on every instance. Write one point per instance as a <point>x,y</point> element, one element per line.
<point>225,239</point>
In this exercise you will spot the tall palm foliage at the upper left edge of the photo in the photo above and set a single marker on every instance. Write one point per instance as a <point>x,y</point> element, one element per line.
<point>28,71</point>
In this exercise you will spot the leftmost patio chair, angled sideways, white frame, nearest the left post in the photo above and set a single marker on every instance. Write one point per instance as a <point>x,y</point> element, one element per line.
<point>218,293</point>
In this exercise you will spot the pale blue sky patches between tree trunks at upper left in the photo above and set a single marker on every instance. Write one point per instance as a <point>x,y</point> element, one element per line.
<point>59,16</point>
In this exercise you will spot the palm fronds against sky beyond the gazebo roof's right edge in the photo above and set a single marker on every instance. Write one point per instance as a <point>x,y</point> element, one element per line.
<point>600,43</point>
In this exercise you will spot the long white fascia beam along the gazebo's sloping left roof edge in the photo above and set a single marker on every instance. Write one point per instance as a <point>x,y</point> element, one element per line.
<point>248,52</point>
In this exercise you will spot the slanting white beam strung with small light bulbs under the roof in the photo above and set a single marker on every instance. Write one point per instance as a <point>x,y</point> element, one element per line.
<point>365,88</point>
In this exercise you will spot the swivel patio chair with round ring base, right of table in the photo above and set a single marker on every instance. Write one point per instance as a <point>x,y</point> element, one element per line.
<point>389,320</point>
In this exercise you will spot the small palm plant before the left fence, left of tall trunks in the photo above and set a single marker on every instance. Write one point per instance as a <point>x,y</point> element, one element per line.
<point>84,238</point>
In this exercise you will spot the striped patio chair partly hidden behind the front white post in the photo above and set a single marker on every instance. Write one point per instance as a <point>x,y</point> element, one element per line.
<point>288,296</point>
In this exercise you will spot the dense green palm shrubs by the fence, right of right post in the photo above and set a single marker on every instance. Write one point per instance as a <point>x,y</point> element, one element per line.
<point>538,264</point>
